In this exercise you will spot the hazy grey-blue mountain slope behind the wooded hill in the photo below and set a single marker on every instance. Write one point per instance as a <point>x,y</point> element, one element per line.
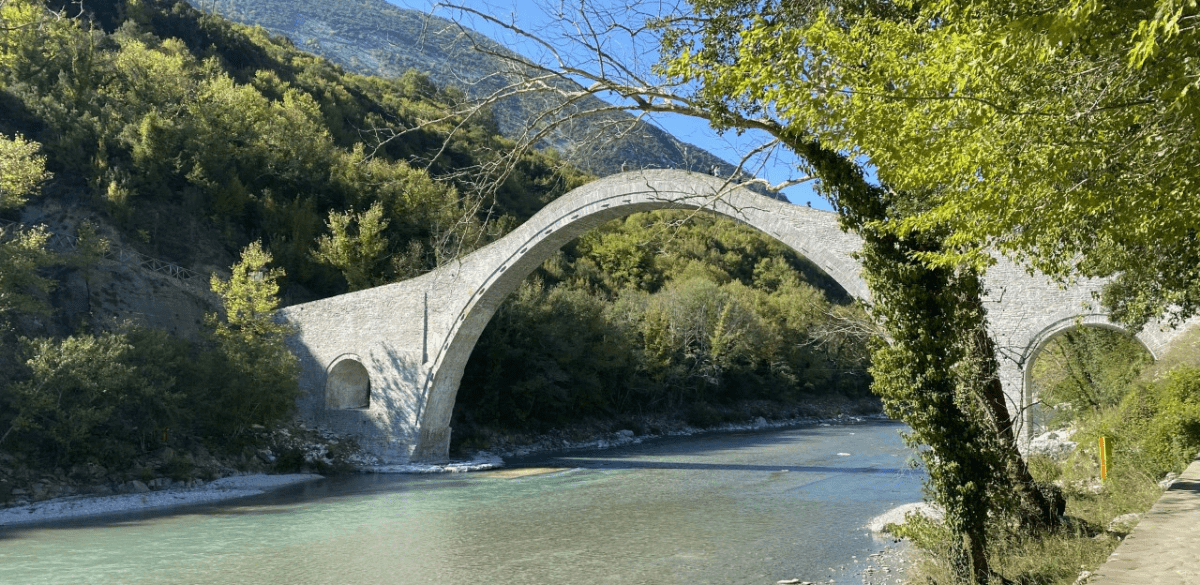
<point>375,38</point>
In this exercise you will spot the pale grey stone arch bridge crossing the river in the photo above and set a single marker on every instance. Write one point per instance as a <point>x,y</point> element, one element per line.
<point>383,365</point>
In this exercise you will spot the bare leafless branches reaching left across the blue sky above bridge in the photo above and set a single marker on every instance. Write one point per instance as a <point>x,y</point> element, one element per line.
<point>584,67</point>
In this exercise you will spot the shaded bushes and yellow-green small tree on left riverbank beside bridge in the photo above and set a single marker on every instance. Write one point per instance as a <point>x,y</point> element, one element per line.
<point>113,396</point>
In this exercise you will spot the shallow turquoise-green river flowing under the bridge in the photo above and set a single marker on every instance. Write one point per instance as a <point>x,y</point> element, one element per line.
<point>751,508</point>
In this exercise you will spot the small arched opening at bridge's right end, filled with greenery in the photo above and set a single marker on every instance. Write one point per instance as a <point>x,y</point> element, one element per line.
<point>1081,371</point>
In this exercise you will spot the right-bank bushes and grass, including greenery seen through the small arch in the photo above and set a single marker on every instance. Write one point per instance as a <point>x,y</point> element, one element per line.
<point>1093,383</point>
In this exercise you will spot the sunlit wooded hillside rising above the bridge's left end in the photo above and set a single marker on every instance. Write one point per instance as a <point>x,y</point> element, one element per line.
<point>165,107</point>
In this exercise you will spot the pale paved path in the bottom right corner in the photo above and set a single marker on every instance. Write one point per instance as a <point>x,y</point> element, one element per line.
<point>1165,548</point>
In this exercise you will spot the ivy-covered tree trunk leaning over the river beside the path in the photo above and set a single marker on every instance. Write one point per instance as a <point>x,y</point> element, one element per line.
<point>938,372</point>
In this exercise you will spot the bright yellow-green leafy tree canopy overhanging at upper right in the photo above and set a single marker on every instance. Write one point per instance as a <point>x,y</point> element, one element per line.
<point>1063,134</point>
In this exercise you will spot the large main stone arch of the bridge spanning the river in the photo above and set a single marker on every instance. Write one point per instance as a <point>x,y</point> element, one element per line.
<point>502,267</point>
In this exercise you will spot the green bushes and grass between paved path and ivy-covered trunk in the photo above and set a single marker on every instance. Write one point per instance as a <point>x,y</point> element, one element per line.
<point>1154,429</point>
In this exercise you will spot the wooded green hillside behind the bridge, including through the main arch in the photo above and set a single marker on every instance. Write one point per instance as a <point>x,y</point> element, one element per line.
<point>207,144</point>
